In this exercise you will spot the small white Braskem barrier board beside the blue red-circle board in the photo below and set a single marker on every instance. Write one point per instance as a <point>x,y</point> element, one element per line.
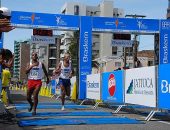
<point>93,87</point>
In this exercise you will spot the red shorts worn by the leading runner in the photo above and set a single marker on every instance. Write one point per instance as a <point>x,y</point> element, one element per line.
<point>32,84</point>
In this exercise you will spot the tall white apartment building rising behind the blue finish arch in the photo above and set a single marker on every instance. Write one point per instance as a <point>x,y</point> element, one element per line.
<point>101,42</point>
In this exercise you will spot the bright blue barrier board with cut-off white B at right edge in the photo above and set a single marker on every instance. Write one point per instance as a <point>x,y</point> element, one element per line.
<point>164,87</point>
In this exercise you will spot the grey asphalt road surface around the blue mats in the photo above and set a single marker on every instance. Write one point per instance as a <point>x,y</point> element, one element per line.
<point>159,122</point>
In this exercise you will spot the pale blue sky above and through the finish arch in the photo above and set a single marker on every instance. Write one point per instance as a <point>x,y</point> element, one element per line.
<point>152,9</point>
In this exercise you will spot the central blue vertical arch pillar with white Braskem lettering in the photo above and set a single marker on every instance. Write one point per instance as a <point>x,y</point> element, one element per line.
<point>85,54</point>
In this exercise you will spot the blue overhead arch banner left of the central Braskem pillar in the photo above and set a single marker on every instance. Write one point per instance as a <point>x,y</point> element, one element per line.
<point>42,20</point>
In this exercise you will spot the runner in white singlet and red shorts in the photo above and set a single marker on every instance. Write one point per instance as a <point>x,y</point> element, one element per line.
<point>35,74</point>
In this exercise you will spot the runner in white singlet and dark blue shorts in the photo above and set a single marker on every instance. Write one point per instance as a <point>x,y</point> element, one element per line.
<point>65,70</point>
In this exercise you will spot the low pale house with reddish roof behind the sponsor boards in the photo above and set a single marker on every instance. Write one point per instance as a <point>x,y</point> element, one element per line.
<point>146,58</point>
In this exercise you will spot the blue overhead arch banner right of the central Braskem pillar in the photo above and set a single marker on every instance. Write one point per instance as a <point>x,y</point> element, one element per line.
<point>125,25</point>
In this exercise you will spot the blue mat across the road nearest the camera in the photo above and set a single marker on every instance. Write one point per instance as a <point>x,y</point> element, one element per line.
<point>77,121</point>
